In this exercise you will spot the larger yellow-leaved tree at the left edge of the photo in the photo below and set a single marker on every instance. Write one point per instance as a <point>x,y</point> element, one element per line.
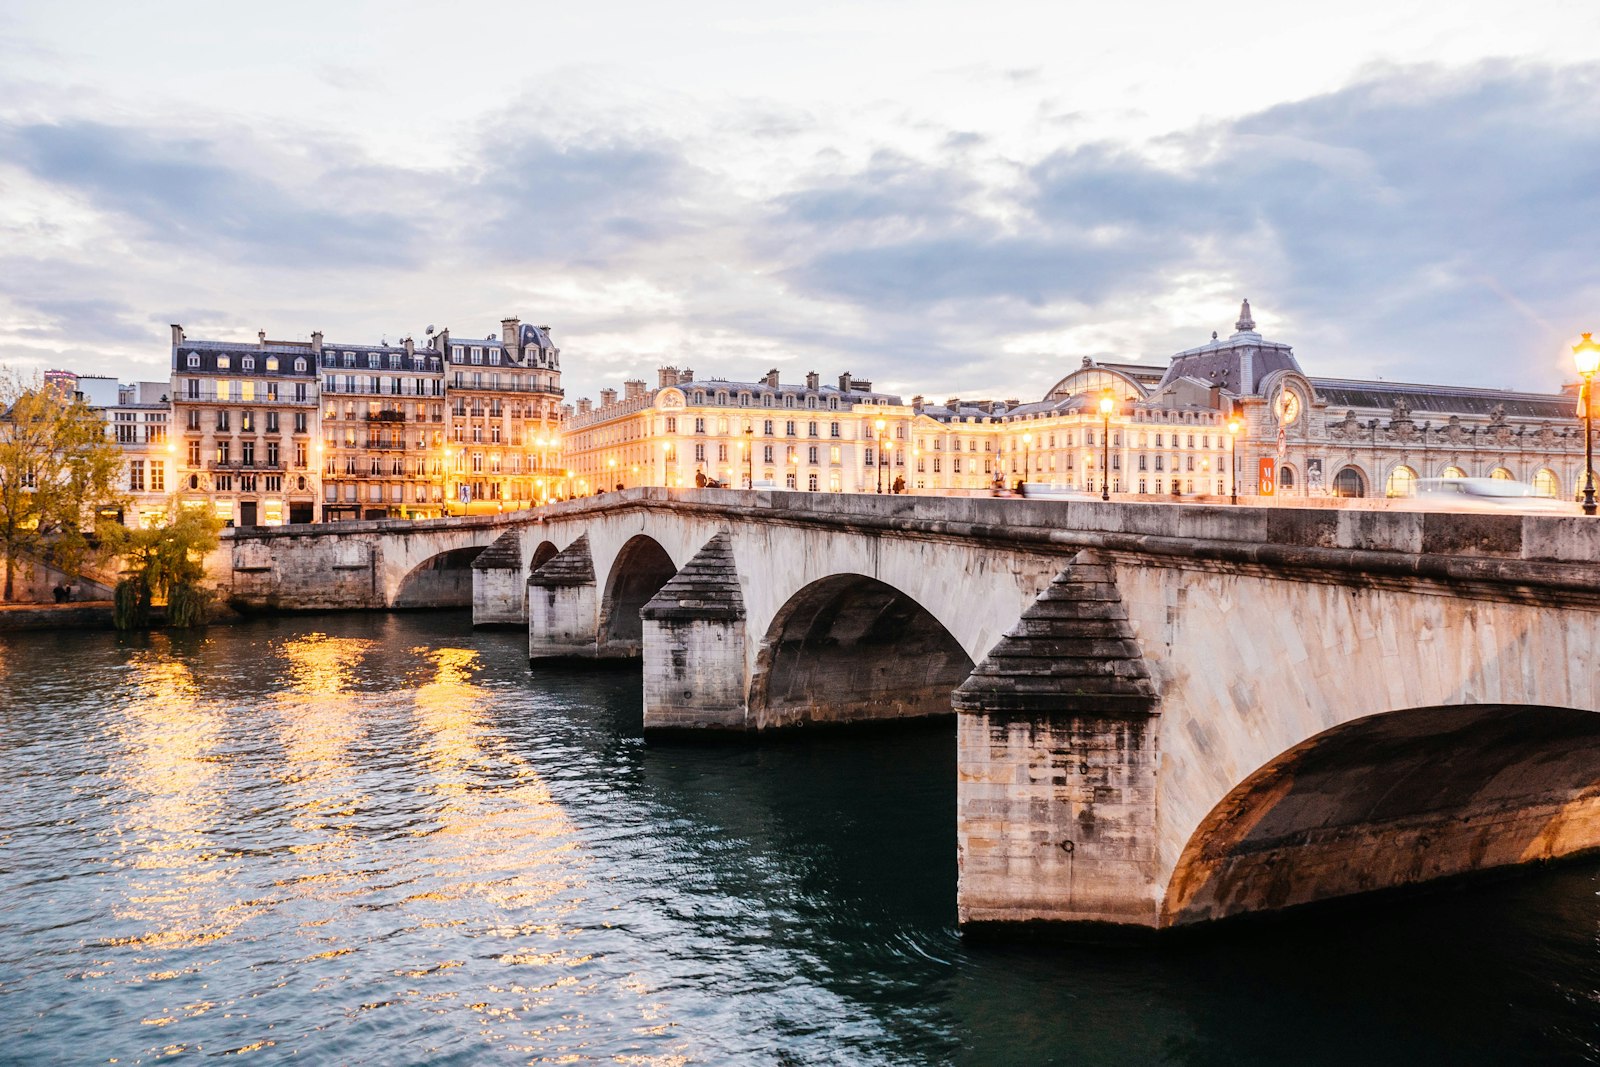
<point>57,471</point>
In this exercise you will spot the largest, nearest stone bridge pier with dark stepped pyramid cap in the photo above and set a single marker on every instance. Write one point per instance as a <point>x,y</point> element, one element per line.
<point>1057,765</point>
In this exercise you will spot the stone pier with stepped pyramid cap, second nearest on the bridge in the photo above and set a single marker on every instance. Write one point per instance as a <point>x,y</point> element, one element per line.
<point>695,650</point>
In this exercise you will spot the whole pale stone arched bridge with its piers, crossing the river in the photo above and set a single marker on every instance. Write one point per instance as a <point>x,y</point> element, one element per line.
<point>1166,714</point>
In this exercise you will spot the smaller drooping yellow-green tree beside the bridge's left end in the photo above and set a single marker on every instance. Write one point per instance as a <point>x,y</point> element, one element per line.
<point>167,564</point>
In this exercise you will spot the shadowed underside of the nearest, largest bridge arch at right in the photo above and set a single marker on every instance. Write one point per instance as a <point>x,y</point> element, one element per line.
<point>1394,801</point>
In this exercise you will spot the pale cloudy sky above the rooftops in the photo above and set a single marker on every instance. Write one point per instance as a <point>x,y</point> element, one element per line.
<point>943,198</point>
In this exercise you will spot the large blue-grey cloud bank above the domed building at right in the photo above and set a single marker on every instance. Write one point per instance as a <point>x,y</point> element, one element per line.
<point>1378,218</point>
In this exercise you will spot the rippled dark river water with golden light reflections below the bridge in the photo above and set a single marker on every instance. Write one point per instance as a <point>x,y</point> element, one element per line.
<point>378,839</point>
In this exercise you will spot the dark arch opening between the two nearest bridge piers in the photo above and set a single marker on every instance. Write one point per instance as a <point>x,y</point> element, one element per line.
<point>854,649</point>
